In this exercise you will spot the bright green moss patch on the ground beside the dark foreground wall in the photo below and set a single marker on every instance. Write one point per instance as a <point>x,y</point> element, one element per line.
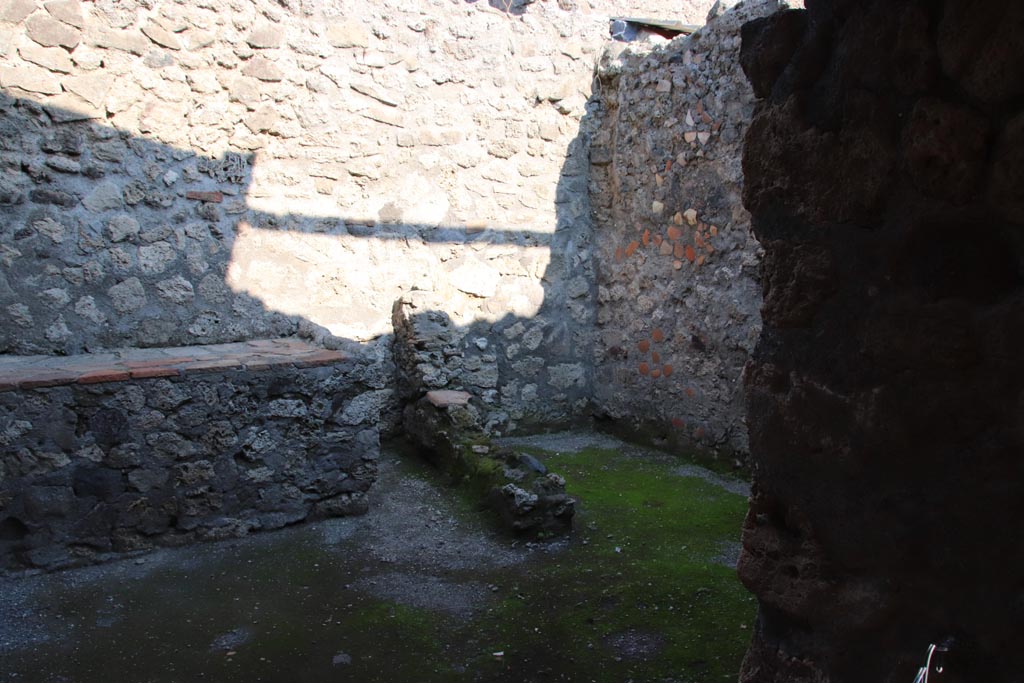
<point>643,593</point>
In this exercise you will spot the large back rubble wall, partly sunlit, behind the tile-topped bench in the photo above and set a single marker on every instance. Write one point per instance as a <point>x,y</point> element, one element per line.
<point>198,173</point>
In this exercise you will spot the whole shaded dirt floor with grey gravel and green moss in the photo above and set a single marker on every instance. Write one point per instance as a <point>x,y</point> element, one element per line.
<point>422,588</point>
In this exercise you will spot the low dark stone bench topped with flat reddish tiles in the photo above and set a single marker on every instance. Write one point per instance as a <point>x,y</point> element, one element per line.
<point>127,450</point>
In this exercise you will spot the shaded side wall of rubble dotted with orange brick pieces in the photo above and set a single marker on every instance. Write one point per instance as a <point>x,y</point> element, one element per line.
<point>677,268</point>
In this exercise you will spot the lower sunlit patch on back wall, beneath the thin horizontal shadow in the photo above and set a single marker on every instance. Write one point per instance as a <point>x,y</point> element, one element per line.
<point>349,284</point>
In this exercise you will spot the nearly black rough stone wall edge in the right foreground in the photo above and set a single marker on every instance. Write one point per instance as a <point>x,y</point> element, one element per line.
<point>885,174</point>
